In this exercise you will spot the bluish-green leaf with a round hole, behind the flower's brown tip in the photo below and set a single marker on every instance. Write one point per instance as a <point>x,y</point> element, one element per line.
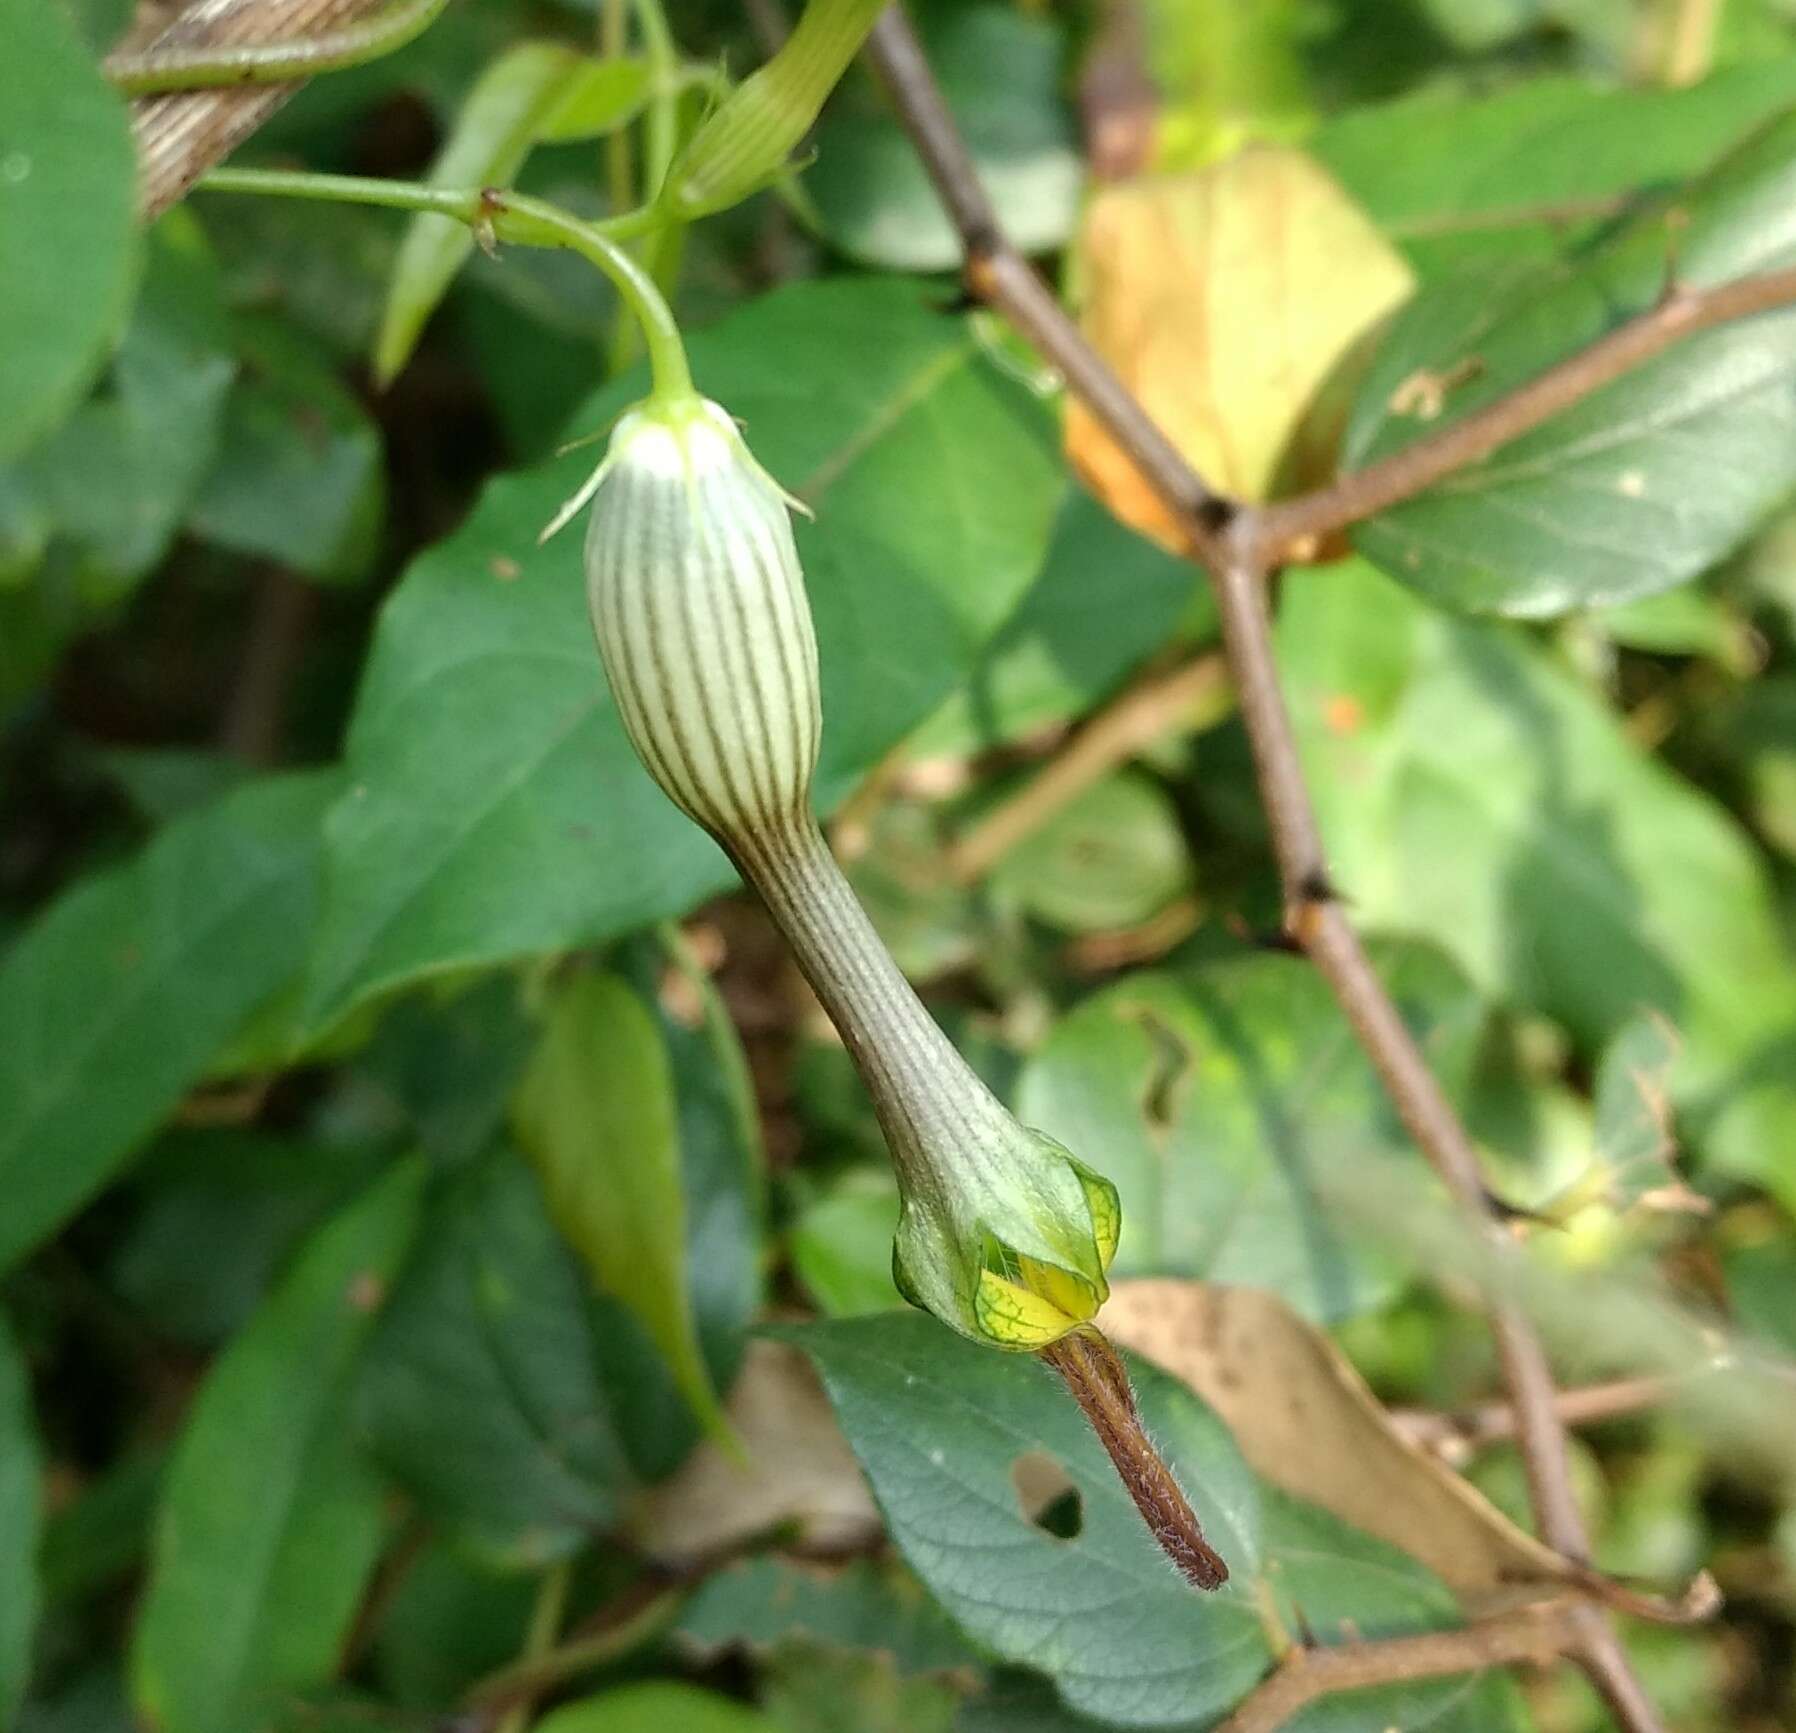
<point>949,1434</point>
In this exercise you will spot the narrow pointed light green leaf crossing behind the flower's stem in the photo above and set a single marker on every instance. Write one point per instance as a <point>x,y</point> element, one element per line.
<point>511,107</point>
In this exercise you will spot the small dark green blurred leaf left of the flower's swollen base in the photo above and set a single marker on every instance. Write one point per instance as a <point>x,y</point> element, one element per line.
<point>299,477</point>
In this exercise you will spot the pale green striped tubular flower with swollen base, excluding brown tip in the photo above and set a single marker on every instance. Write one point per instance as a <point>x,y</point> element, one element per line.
<point>705,629</point>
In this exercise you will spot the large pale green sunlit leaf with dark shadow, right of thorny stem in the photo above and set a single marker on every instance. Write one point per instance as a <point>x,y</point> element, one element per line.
<point>1475,795</point>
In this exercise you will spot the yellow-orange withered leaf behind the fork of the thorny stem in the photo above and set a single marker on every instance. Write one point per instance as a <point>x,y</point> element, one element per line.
<point>1233,303</point>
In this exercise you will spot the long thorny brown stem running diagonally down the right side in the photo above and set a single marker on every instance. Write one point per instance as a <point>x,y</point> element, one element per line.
<point>1235,545</point>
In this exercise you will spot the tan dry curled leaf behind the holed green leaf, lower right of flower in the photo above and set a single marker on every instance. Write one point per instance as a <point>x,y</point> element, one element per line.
<point>1307,1421</point>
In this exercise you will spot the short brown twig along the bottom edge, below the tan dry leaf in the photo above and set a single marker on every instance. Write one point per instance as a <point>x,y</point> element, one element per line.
<point>1536,1635</point>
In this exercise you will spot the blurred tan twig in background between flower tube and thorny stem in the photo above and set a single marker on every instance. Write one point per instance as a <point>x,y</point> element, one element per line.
<point>1111,737</point>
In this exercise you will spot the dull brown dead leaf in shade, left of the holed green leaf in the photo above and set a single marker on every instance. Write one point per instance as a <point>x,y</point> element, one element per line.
<point>797,1473</point>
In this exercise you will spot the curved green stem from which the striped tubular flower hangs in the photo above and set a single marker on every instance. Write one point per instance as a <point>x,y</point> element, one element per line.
<point>506,216</point>
